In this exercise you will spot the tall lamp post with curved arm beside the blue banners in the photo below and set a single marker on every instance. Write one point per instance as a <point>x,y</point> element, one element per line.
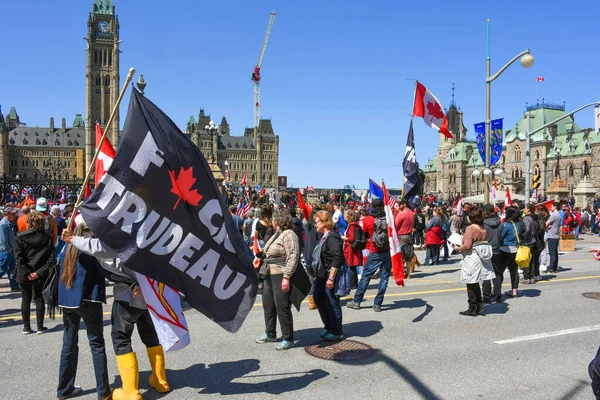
<point>527,61</point>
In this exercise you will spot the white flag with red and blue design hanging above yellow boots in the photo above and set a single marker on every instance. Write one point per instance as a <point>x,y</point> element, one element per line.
<point>164,306</point>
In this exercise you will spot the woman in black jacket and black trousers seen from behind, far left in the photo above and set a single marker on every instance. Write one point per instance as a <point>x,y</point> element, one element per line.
<point>34,255</point>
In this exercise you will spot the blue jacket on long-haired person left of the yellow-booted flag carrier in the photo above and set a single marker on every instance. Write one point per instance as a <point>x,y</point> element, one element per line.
<point>89,283</point>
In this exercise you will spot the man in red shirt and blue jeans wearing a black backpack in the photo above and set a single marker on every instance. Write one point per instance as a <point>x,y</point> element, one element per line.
<point>379,257</point>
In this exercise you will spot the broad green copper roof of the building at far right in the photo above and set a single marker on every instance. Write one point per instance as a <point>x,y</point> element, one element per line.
<point>538,118</point>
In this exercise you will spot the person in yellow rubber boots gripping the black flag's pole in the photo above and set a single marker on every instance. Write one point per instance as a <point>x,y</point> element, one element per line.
<point>129,310</point>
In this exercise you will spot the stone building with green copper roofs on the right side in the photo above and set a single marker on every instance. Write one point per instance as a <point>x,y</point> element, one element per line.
<point>564,147</point>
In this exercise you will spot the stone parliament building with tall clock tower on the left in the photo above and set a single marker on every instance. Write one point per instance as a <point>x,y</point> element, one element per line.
<point>56,153</point>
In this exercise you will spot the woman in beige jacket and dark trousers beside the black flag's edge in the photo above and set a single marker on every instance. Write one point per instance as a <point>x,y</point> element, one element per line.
<point>280,256</point>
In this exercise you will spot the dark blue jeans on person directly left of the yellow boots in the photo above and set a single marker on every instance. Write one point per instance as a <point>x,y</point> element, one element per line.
<point>91,313</point>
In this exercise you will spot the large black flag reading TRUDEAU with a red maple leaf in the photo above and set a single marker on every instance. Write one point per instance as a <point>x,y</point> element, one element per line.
<point>160,209</point>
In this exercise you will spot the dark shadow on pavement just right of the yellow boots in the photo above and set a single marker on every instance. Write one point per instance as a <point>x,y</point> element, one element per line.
<point>219,377</point>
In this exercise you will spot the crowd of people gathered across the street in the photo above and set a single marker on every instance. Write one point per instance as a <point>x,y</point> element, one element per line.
<point>337,245</point>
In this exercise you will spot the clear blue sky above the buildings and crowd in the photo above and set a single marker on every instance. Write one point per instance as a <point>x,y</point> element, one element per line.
<point>336,78</point>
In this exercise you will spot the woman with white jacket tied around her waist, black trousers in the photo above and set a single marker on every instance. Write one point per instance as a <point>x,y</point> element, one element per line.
<point>477,260</point>
